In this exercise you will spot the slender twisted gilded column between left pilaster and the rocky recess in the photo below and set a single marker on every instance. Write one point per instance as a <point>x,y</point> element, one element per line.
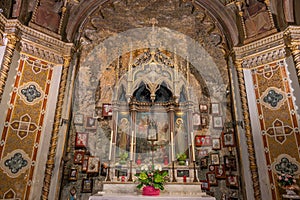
<point>54,136</point>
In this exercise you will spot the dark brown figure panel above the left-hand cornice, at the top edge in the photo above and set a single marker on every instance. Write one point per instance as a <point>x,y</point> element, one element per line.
<point>47,14</point>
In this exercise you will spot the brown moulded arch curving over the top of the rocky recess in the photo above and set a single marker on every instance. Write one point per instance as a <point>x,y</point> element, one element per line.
<point>223,16</point>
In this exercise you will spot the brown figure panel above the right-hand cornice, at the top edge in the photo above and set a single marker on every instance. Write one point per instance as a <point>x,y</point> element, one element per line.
<point>257,19</point>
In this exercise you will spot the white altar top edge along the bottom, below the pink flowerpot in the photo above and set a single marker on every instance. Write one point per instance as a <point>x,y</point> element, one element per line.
<point>140,197</point>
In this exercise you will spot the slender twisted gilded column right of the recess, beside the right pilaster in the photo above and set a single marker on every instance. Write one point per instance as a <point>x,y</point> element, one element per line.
<point>249,137</point>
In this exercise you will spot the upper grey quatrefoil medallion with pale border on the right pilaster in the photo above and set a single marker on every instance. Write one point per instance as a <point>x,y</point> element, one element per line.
<point>273,98</point>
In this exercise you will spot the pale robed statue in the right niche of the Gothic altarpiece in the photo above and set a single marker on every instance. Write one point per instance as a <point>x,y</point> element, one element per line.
<point>180,136</point>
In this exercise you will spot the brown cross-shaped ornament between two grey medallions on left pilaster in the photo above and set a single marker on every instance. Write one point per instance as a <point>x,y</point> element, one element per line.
<point>23,126</point>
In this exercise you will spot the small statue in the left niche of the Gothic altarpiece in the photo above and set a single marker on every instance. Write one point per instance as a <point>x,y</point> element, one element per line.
<point>123,137</point>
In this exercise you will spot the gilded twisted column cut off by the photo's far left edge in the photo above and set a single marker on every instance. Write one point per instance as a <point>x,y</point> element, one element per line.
<point>11,45</point>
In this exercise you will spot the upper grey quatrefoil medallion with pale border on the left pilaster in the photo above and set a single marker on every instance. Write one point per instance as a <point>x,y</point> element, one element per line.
<point>30,93</point>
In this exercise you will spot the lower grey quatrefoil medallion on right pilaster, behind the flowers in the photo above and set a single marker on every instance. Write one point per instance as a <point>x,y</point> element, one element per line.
<point>285,164</point>
